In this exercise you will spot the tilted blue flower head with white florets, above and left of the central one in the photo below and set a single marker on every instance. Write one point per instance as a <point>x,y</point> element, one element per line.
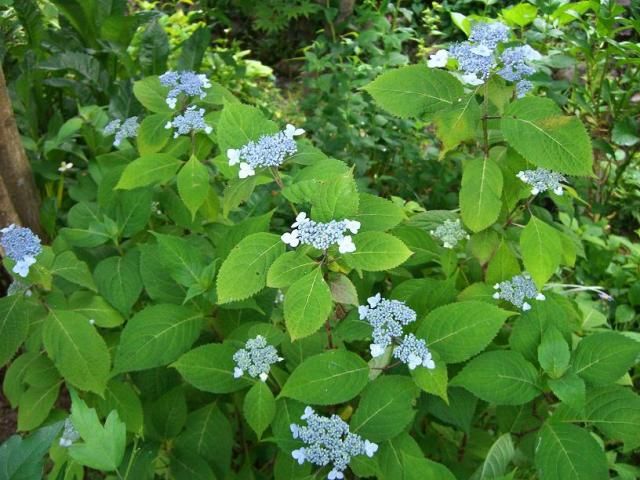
<point>267,151</point>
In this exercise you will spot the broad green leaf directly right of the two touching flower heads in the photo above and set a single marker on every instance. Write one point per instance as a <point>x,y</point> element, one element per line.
<point>461,330</point>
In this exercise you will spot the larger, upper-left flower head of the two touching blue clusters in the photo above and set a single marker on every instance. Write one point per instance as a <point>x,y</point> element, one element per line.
<point>387,318</point>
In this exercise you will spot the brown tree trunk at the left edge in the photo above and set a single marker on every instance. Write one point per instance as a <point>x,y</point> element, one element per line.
<point>19,198</point>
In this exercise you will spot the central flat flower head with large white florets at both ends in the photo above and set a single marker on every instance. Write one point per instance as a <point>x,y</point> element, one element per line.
<point>322,235</point>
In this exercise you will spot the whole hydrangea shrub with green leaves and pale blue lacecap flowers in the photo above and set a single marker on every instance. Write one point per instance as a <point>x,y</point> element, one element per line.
<point>230,303</point>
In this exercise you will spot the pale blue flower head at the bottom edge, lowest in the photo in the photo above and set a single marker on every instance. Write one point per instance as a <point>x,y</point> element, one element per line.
<point>328,441</point>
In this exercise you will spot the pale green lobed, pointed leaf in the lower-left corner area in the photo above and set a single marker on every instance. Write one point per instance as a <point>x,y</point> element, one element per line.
<point>103,446</point>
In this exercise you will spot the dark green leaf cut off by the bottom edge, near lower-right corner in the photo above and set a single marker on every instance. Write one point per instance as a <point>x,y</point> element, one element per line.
<point>566,451</point>
